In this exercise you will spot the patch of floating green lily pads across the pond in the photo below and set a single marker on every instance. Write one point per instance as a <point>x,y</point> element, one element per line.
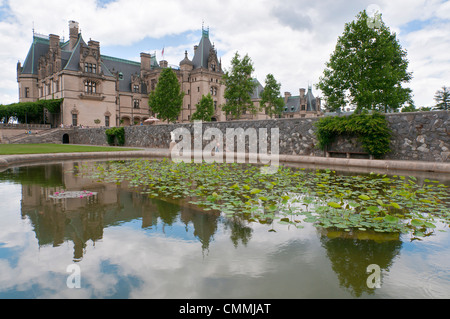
<point>324,197</point>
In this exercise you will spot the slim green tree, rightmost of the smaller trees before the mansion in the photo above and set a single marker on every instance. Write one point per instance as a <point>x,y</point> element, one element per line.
<point>271,101</point>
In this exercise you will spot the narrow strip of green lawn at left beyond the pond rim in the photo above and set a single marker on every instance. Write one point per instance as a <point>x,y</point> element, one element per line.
<point>13,149</point>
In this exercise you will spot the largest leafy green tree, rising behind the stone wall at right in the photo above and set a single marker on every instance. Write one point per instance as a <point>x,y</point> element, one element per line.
<point>367,69</point>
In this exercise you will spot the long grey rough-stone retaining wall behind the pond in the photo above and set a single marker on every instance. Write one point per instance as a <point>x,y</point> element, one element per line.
<point>421,136</point>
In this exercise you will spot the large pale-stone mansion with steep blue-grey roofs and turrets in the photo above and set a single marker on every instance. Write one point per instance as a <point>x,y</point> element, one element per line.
<point>100,90</point>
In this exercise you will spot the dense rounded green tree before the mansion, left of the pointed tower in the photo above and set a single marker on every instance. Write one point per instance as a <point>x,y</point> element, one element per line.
<point>167,99</point>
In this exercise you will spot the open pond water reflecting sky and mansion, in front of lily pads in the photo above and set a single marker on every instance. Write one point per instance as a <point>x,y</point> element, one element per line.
<point>127,244</point>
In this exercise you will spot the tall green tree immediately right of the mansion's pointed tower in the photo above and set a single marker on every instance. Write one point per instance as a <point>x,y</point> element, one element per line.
<point>239,87</point>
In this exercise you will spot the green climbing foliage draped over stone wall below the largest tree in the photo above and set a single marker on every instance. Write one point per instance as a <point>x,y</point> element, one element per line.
<point>372,131</point>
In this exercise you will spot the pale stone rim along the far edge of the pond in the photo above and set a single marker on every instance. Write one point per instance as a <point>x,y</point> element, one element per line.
<point>435,167</point>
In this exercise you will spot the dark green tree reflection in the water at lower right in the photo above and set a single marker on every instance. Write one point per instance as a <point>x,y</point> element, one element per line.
<point>350,258</point>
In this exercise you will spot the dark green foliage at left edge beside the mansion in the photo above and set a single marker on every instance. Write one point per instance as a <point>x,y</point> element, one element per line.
<point>30,112</point>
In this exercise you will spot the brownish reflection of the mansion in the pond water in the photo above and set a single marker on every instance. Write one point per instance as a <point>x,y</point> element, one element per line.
<point>80,220</point>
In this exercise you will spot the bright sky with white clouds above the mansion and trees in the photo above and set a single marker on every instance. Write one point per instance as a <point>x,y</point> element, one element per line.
<point>292,39</point>
